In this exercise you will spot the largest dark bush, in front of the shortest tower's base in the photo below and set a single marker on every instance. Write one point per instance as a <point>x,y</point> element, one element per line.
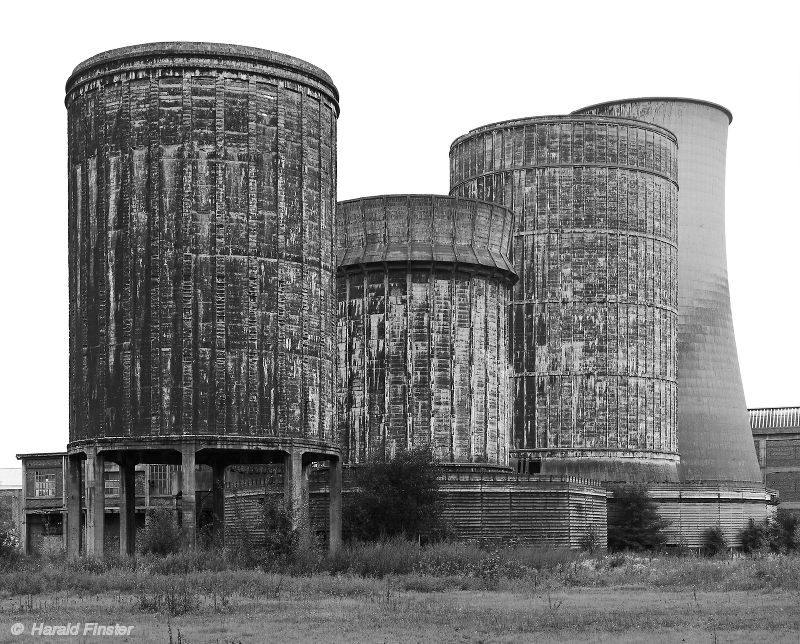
<point>399,497</point>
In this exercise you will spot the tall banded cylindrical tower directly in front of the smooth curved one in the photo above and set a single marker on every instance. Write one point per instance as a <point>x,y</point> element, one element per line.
<point>593,317</point>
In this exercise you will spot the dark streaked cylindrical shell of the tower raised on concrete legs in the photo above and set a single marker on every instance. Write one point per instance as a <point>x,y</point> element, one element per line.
<point>202,189</point>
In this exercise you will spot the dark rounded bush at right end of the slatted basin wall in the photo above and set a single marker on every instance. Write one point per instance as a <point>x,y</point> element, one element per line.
<point>634,523</point>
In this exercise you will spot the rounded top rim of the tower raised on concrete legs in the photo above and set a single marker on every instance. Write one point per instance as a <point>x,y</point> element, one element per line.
<point>201,55</point>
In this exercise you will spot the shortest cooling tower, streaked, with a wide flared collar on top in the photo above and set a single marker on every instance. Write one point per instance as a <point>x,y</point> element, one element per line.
<point>423,285</point>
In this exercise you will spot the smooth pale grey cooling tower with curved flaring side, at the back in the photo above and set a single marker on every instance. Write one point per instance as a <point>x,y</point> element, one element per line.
<point>715,441</point>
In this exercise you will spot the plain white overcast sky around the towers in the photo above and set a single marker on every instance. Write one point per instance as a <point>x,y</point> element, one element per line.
<point>412,78</point>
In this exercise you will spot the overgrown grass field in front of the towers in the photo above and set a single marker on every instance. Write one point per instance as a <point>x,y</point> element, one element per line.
<point>398,591</point>
